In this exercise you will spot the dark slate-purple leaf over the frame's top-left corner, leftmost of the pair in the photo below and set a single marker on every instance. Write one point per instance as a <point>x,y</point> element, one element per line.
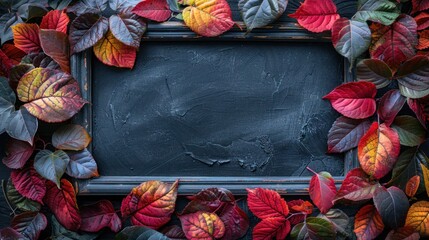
<point>86,30</point>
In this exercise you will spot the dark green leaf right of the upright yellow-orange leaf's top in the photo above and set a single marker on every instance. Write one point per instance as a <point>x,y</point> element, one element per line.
<point>411,132</point>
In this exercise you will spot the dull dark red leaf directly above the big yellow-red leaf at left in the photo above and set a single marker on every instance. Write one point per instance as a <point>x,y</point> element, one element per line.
<point>56,45</point>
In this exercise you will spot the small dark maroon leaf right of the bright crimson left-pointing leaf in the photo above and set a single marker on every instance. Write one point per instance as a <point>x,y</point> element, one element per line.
<point>390,105</point>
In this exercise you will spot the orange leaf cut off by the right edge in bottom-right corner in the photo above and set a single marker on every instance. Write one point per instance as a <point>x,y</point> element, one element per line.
<point>418,217</point>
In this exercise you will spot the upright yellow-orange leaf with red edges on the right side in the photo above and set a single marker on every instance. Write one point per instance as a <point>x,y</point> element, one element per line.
<point>378,150</point>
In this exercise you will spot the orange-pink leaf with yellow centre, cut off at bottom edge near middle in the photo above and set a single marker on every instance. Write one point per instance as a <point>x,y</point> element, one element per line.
<point>202,225</point>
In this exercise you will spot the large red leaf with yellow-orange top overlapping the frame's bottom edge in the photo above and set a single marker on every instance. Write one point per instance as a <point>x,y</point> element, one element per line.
<point>151,204</point>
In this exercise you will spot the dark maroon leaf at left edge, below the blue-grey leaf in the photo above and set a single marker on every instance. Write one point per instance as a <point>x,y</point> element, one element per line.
<point>17,153</point>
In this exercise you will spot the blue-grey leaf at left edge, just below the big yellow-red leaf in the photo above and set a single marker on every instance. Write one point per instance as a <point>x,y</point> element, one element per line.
<point>22,125</point>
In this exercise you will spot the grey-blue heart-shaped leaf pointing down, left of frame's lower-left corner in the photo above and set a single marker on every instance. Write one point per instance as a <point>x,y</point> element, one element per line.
<point>51,165</point>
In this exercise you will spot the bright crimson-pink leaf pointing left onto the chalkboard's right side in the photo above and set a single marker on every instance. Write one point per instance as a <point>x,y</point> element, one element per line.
<point>354,100</point>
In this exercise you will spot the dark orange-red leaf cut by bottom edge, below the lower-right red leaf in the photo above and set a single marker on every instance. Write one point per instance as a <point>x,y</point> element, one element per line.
<point>368,223</point>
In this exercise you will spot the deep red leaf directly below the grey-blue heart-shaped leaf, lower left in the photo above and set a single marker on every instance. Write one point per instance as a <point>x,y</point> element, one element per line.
<point>62,202</point>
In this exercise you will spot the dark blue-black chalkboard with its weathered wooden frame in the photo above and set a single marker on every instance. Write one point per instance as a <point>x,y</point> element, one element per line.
<point>236,111</point>
